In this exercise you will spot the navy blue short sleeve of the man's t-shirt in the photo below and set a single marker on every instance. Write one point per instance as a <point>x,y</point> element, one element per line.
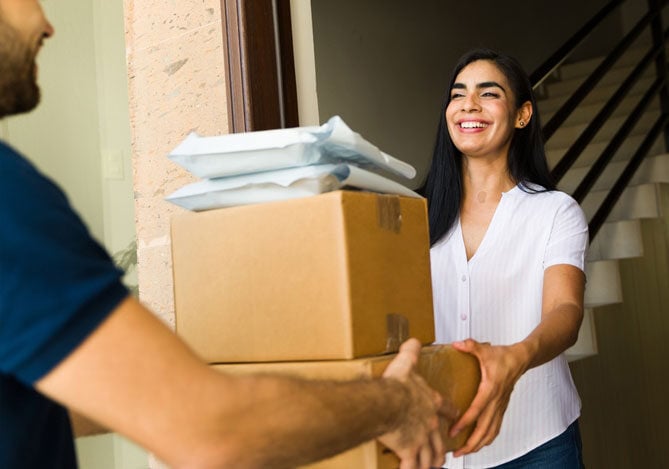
<point>57,284</point>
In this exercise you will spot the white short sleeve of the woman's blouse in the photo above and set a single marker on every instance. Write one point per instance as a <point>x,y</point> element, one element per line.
<point>568,241</point>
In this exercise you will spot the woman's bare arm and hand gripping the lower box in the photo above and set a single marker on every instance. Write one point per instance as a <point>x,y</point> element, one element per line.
<point>502,366</point>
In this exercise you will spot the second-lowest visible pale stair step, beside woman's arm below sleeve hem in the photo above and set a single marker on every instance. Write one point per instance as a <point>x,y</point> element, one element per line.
<point>603,283</point>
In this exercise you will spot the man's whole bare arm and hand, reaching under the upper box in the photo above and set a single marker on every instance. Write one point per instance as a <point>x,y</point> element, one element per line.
<point>135,376</point>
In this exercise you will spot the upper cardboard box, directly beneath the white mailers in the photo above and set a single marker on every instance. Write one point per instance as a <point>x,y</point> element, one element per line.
<point>335,276</point>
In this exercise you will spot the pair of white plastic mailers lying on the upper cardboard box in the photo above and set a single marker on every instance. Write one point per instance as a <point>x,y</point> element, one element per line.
<point>281,164</point>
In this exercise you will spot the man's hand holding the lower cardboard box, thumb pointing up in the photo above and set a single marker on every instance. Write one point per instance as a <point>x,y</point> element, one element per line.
<point>417,440</point>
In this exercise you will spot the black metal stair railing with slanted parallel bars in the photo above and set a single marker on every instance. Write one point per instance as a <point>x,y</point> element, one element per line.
<point>656,54</point>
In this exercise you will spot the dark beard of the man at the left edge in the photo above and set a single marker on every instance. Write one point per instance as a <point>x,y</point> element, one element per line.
<point>18,89</point>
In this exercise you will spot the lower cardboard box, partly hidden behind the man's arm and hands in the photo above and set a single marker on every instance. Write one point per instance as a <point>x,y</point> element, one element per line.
<point>454,374</point>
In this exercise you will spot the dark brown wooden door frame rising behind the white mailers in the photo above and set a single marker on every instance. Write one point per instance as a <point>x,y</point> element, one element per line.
<point>260,68</point>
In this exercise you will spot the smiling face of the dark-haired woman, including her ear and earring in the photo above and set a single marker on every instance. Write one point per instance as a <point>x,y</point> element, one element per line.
<point>481,115</point>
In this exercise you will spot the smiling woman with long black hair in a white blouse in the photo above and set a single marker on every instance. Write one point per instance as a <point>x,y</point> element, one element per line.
<point>508,254</point>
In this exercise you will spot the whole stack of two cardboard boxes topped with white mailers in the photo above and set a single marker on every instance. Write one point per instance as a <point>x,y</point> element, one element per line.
<point>277,269</point>
